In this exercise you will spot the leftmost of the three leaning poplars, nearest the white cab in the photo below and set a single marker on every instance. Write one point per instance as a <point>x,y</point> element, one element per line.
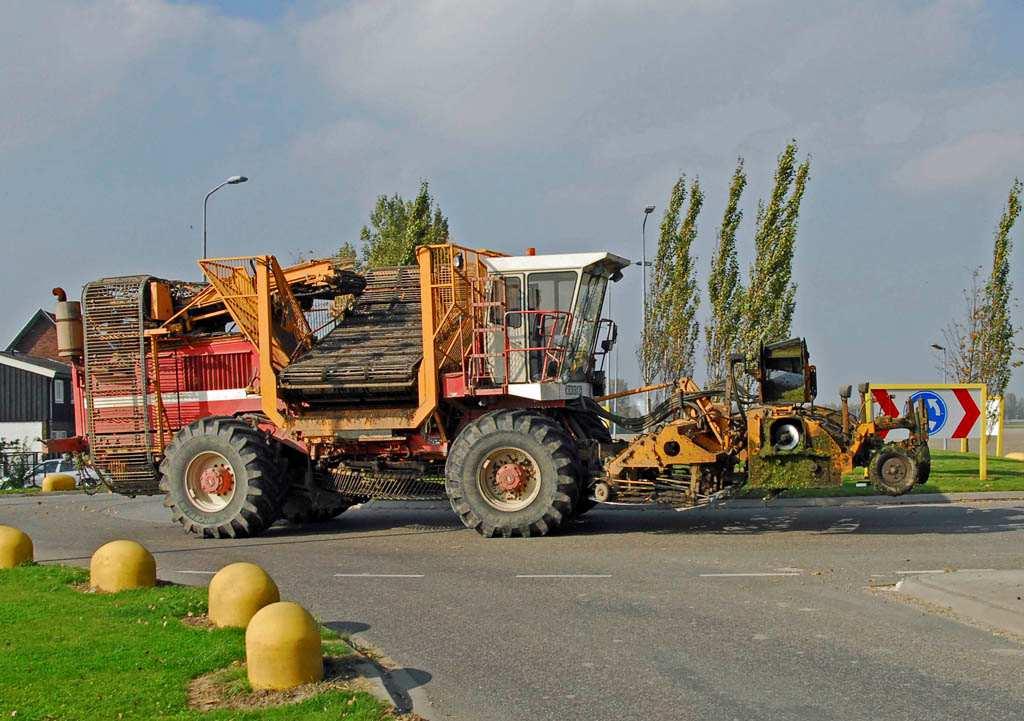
<point>669,337</point>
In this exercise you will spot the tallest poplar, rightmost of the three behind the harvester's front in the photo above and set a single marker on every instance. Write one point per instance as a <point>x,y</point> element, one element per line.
<point>771,299</point>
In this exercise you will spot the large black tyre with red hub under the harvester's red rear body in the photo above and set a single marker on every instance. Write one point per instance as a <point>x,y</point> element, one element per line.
<point>223,479</point>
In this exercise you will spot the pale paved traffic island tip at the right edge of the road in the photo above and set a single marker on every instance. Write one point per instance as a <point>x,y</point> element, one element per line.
<point>990,599</point>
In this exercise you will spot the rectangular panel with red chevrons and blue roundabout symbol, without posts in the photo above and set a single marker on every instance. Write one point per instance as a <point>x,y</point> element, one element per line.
<point>953,412</point>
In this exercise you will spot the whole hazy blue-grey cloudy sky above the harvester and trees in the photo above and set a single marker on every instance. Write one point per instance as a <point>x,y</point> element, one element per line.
<point>538,124</point>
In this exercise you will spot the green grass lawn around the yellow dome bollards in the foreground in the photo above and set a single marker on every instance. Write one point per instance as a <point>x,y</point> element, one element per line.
<point>67,655</point>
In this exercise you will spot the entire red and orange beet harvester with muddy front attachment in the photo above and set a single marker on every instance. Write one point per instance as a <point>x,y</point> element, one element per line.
<point>267,393</point>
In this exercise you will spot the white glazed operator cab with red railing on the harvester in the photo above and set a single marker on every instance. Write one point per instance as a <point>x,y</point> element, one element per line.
<point>543,324</point>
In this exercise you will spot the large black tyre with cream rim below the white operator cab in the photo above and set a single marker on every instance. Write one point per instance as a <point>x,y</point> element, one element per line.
<point>513,474</point>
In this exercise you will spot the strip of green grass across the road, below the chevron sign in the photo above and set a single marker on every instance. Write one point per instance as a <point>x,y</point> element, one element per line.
<point>953,473</point>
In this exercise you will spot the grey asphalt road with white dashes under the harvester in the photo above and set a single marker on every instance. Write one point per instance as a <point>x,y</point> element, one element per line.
<point>746,614</point>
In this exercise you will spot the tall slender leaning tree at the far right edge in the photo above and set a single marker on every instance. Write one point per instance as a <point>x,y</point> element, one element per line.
<point>999,331</point>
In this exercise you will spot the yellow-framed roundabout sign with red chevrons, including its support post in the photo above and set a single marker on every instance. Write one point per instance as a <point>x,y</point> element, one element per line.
<point>955,411</point>
